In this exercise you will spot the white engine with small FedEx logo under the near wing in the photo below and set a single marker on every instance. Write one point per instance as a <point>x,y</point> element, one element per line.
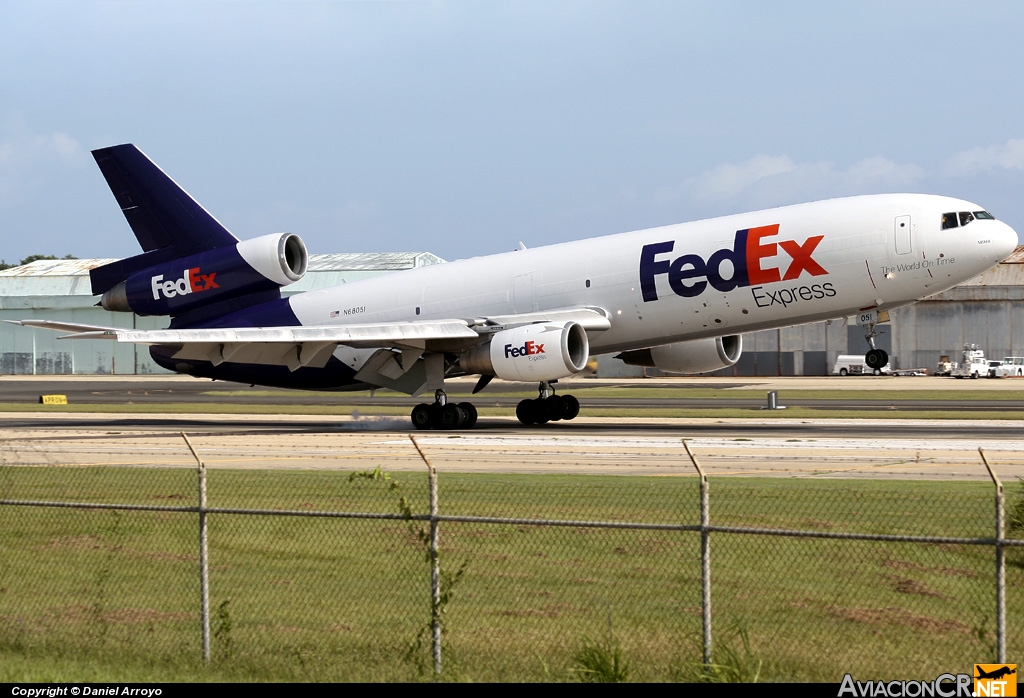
<point>532,353</point>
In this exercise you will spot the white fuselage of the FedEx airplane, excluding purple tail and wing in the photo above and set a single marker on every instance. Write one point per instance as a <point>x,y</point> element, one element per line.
<point>800,264</point>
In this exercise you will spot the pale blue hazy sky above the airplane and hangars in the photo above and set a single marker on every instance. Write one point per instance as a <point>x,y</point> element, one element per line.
<point>464,128</point>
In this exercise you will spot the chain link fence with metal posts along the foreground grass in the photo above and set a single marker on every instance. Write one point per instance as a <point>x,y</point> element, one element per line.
<point>364,576</point>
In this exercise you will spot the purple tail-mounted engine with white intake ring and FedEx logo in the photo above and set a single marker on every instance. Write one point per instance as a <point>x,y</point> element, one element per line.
<point>174,288</point>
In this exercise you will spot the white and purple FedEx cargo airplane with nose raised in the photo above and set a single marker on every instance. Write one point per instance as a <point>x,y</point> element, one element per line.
<point>676,298</point>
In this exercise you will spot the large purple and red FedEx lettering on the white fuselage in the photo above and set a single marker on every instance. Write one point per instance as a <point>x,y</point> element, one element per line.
<point>691,275</point>
